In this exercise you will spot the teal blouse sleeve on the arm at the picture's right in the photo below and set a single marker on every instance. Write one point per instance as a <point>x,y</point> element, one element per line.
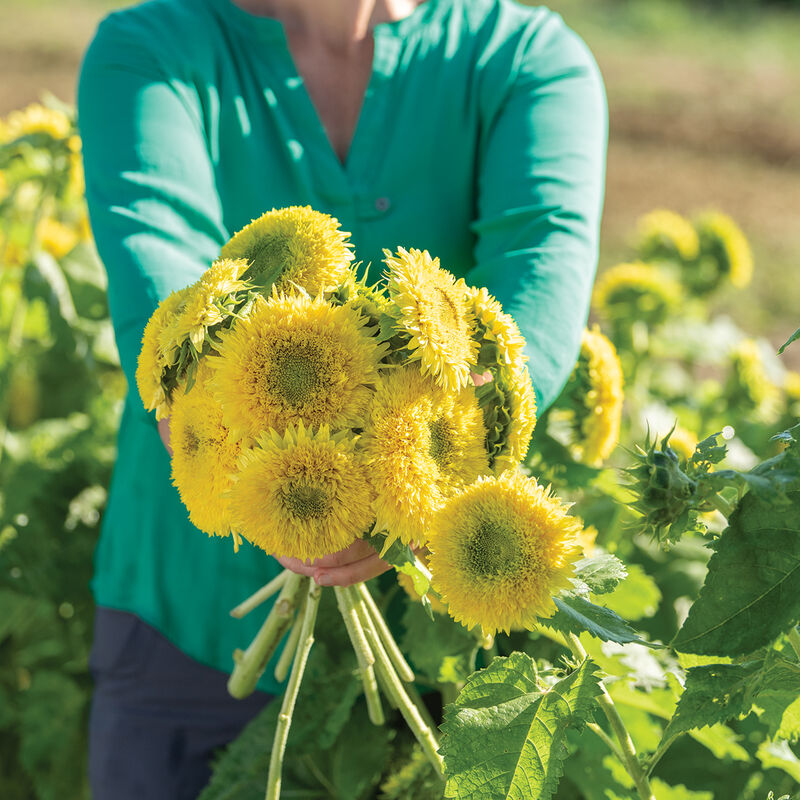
<point>540,194</point>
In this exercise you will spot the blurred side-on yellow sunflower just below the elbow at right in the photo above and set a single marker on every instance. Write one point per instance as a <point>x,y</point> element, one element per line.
<point>596,392</point>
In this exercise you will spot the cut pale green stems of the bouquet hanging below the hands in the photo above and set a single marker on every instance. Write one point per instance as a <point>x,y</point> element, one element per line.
<point>381,665</point>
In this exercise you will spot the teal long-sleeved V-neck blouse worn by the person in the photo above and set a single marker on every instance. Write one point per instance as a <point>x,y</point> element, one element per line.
<point>481,138</point>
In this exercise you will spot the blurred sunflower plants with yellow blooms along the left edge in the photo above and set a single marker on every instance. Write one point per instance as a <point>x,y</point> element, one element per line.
<point>60,387</point>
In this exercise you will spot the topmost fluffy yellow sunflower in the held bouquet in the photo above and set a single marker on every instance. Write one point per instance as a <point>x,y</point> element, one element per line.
<point>294,246</point>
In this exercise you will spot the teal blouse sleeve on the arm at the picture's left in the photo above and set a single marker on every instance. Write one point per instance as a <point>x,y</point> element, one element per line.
<point>153,205</point>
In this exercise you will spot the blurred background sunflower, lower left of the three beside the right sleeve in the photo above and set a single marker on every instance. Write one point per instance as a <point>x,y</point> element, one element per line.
<point>637,291</point>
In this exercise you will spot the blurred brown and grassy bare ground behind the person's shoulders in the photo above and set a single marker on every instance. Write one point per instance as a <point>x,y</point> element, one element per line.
<point>703,115</point>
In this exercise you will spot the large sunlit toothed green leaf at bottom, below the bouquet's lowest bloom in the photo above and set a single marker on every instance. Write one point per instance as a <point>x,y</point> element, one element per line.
<point>504,738</point>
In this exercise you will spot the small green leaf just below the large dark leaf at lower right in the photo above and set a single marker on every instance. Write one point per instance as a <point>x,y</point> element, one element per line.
<point>713,694</point>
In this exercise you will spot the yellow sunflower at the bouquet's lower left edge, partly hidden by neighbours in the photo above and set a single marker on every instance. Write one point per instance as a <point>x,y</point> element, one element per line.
<point>205,455</point>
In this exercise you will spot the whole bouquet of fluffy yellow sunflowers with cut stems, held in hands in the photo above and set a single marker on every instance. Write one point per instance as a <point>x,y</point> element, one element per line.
<point>309,409</point>
